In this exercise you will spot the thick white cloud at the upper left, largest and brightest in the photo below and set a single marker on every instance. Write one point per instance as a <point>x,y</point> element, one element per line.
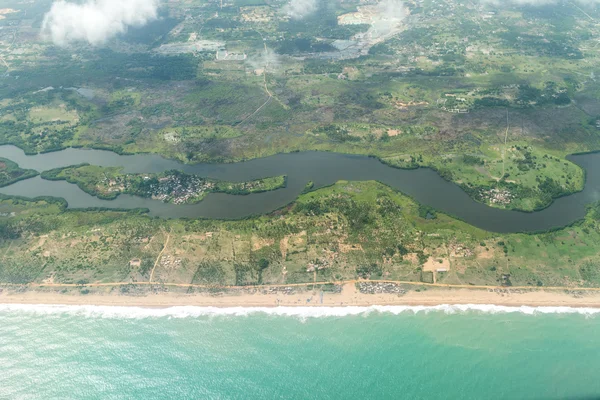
<point>95,21</point>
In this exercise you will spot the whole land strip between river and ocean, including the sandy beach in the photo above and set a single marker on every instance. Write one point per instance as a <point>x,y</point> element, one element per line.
<point>359,243</point>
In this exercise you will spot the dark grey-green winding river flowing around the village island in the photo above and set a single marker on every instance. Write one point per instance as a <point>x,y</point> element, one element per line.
<point>424,185</point>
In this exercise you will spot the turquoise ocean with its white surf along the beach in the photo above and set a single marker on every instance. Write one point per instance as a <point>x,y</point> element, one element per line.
<point>444,352</point>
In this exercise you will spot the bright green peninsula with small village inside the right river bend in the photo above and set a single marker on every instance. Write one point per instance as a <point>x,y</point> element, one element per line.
<point>515,176</point>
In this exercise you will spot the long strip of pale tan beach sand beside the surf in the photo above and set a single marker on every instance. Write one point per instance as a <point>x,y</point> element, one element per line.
<point>349,296</point>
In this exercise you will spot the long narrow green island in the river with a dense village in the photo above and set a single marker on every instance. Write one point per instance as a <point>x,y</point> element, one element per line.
<point>171,186</point>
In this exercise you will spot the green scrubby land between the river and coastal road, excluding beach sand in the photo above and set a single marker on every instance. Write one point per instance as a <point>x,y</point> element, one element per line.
<point>348,230</point>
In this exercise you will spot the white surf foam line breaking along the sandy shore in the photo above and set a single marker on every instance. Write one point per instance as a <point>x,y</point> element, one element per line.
<point>299,312</point>
